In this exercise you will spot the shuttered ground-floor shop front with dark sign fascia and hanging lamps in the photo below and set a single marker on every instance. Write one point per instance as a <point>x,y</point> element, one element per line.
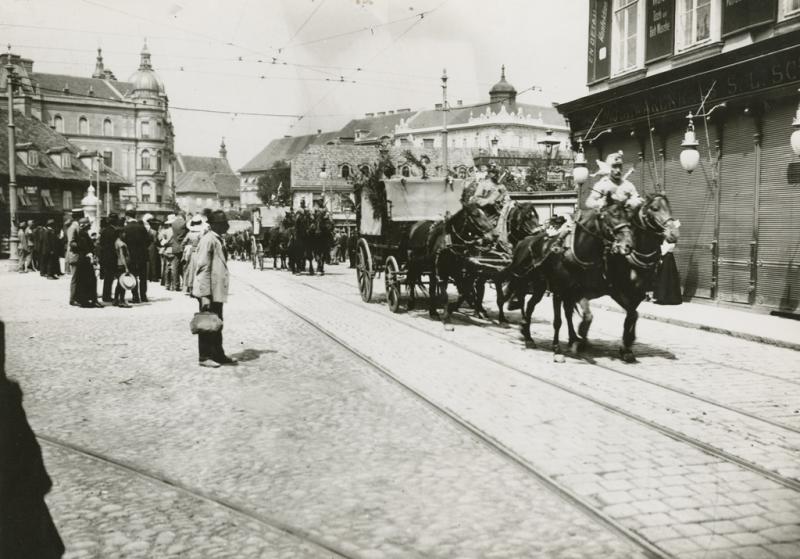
<point>740,243</point>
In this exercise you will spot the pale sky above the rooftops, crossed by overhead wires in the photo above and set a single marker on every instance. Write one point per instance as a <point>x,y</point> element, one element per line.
<point>307,65</point>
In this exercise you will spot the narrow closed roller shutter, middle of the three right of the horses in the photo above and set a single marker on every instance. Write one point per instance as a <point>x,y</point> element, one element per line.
<point>737,184</point>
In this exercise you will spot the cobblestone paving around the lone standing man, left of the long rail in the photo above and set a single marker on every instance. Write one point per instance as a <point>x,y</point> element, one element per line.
<point>301,431</point>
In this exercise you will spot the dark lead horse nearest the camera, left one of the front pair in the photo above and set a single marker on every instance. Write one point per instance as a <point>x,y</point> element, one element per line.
<point>535,267</point>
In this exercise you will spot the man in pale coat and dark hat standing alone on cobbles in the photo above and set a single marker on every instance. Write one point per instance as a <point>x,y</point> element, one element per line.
<point>211,288</point>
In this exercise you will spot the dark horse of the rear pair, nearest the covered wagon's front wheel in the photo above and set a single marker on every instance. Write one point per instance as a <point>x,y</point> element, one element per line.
<point>443,248</point>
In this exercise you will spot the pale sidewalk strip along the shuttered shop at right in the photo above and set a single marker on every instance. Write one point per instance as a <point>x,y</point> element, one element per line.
<point>762,328</point>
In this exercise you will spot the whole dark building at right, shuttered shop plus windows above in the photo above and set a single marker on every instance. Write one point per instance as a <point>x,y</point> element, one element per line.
<point>735,67</point>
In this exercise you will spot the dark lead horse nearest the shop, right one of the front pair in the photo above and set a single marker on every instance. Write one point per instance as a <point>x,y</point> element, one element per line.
<point>629,276</point>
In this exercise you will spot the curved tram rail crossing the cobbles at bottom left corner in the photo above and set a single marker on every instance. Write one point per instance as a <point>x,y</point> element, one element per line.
<point>244,513</point>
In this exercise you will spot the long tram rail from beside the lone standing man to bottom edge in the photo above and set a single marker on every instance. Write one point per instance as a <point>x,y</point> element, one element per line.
<point>559,489</point>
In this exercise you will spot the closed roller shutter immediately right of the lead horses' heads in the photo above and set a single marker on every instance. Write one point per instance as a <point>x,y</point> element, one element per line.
<point>693,201</point>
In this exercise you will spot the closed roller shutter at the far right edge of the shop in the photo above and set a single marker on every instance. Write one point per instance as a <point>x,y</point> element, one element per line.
<point>778,282</point>
